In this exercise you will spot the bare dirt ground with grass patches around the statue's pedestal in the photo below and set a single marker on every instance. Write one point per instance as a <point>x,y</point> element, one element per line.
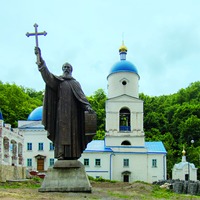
<point>100,190</point>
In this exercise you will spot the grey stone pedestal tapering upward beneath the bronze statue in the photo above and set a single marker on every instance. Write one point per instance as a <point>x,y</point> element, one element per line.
<point>66,176</point>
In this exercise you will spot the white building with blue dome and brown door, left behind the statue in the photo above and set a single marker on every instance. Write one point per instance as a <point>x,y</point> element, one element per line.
<point>38,149</point>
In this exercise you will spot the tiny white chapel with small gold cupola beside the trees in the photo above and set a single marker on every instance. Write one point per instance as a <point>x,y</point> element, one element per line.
<point>184,170</point>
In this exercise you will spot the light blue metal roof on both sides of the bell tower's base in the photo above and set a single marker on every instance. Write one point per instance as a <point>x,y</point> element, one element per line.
<point>99,146</point>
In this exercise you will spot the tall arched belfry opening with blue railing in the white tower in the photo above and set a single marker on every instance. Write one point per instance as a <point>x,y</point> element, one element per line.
<point>124,117</point>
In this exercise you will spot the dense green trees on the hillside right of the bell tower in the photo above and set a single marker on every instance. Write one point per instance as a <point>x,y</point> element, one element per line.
<point>174,119</point>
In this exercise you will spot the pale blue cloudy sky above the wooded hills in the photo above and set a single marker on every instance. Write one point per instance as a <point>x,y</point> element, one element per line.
<point>162,37</point>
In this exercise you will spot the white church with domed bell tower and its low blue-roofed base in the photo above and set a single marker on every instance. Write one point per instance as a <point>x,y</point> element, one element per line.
<point>124,155</point>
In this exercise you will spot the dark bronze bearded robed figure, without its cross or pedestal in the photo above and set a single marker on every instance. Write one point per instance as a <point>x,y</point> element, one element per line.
<point>63,111</point>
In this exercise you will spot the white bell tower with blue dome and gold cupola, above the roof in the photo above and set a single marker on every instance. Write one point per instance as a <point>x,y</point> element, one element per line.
<point>124,109</point>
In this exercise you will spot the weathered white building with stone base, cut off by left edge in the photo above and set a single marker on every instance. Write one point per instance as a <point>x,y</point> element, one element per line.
<point>11,153</point>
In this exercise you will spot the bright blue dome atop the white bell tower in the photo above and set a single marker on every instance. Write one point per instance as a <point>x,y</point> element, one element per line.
<point>123,66</point>
